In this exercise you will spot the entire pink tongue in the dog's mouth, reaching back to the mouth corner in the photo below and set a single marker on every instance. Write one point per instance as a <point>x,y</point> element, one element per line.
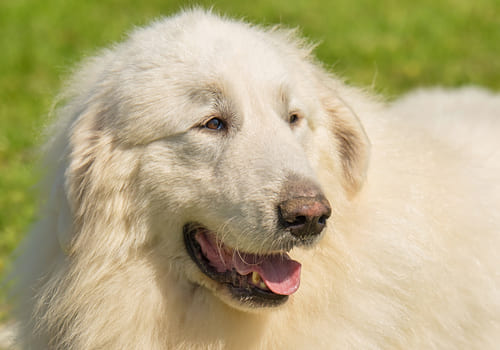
<point>280,273</point>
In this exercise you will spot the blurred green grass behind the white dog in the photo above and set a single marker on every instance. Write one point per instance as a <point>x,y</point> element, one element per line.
<point>388,45</point>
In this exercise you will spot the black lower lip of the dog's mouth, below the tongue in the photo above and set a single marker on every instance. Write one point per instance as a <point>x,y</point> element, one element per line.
<point>248,294</point>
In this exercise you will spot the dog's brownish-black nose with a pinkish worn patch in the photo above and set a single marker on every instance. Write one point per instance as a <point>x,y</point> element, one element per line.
<point>305,211</point>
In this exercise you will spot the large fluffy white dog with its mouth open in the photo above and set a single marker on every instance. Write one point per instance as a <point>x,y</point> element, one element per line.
<point>211,186</point>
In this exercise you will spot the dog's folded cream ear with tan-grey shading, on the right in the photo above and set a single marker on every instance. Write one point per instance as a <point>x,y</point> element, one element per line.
<point>352,143</point>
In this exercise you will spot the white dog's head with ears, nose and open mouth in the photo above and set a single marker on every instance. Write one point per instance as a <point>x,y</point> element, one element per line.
<point>219,122</point>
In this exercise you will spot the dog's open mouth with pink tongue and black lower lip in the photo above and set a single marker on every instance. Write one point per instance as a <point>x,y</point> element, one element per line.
<point>257,280</point>
